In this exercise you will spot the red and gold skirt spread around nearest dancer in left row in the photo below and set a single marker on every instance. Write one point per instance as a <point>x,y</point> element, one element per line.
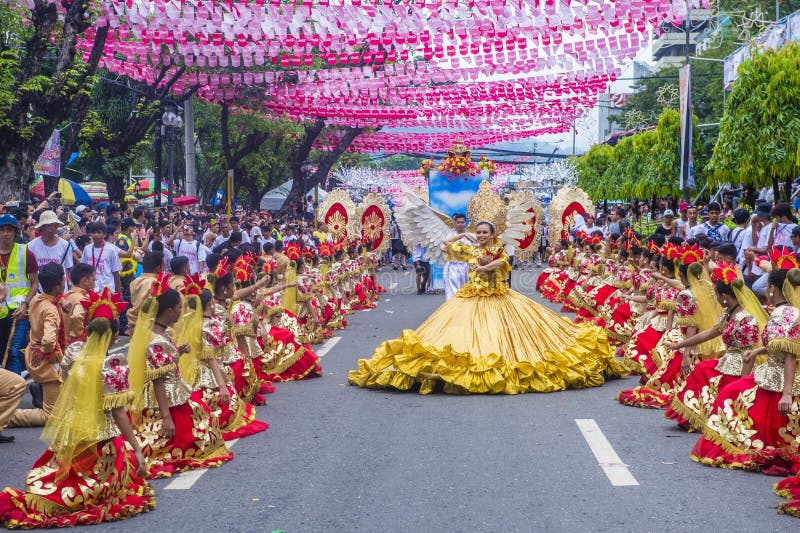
<point>100,486</point>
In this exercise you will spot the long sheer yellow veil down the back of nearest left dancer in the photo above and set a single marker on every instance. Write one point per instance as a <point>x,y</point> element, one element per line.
<point>77,420</point>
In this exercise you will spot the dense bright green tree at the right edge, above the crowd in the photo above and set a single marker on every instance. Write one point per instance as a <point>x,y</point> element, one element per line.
<point>759,142</point>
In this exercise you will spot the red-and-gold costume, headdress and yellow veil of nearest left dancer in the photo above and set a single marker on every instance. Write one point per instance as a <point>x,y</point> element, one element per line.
<point>88,475</point>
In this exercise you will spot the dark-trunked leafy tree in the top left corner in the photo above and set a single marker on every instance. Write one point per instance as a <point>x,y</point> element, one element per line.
<point>42,81</point>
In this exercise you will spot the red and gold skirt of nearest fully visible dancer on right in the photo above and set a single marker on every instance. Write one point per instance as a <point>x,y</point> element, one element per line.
<point>745,430</point>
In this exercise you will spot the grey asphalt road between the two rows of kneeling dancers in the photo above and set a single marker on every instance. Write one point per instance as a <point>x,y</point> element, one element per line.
<point>340,458</point>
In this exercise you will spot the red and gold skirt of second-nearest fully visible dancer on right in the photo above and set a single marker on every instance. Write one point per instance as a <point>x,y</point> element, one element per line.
<point>693,401</point>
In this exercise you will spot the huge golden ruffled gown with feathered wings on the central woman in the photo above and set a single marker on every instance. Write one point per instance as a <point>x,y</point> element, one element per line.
<point>489,338</point>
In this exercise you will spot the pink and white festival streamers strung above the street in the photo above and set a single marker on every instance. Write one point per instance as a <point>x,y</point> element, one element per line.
<point>491,70</point>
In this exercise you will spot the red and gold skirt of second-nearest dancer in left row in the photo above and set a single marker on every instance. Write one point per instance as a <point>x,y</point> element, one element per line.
<point>197,443</point>
